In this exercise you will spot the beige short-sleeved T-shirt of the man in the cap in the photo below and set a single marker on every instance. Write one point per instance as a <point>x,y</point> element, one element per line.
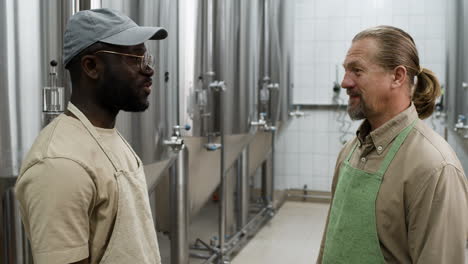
<point>67,191</point>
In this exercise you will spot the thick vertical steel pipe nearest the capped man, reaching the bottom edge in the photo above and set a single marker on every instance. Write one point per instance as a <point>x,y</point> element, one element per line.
<point>179,209</point>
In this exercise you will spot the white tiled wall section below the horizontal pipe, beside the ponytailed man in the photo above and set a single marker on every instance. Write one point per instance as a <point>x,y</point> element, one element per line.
<point>307,150</point>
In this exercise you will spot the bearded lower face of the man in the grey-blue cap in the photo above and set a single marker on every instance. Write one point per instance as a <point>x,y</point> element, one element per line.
<point>118,94</point>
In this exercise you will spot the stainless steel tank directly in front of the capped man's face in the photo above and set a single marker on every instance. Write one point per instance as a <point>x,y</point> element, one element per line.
<point>146,131</point>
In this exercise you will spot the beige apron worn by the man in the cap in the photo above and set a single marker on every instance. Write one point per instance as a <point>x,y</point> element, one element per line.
<point>133,238</point>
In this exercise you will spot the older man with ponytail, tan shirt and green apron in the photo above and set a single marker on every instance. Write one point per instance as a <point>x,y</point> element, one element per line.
<point>399,190</point>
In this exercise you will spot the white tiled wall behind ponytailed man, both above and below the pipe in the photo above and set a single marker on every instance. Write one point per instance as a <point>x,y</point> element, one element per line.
<point>308,148</point>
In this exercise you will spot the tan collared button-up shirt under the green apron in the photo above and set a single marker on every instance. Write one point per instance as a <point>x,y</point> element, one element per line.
<point>422,204</point>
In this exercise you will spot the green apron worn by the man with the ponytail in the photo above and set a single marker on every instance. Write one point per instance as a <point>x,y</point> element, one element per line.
<point>352,230</point>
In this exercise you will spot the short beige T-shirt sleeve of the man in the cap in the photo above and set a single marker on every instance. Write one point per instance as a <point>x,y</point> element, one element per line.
<point>56,197</point>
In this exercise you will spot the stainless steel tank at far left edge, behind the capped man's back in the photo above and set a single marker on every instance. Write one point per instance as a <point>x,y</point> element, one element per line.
<point>20,113</point>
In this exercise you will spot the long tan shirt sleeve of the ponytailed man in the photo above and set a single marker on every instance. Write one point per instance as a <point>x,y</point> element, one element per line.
<point>438,218</point>
